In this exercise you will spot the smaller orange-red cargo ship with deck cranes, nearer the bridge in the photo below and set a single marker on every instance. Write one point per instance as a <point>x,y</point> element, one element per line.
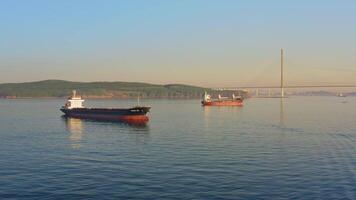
<point>222,101</point>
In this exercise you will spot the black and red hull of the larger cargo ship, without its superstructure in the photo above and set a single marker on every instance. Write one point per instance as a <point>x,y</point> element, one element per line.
<point>130,115</point>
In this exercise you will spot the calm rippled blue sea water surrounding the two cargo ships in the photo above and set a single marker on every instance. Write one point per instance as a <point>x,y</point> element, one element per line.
<point>298,148</point>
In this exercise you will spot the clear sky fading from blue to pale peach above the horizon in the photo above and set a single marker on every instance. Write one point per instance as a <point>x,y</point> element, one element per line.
<point>212,43</point>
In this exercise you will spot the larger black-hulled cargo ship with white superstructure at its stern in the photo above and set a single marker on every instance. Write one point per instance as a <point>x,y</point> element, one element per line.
<point>74,108</point>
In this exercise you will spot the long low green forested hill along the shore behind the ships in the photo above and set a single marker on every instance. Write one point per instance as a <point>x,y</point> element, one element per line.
<point>59,88</point>
